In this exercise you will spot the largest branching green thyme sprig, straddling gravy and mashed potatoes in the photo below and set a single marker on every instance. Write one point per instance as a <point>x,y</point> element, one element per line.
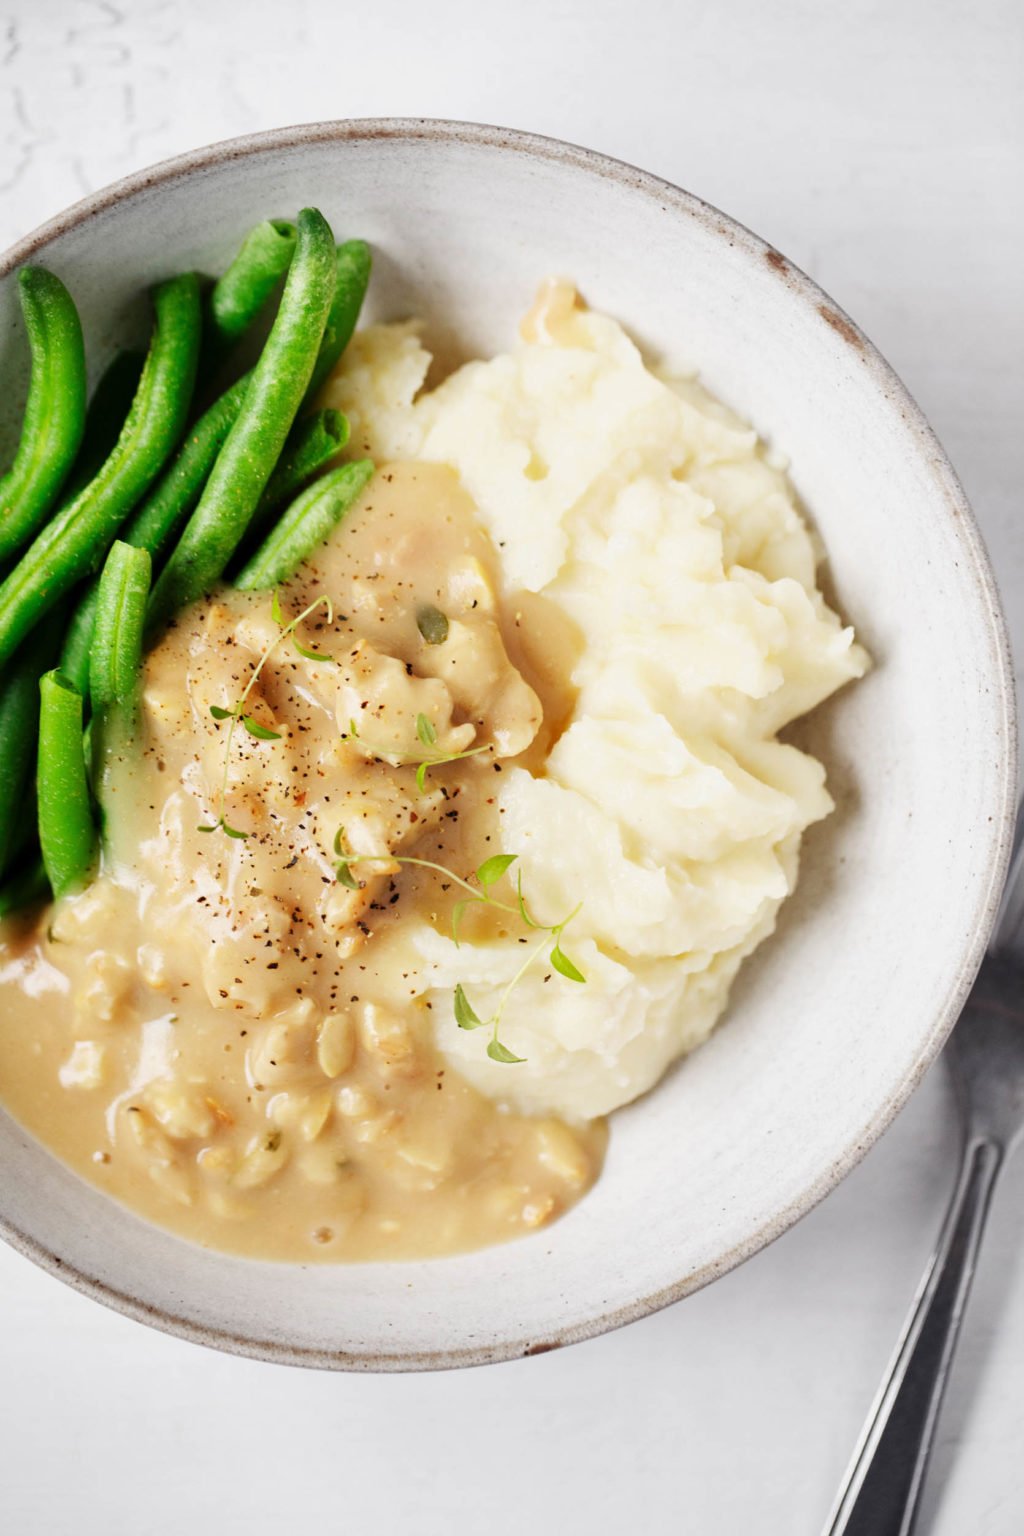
<point>487,876</point>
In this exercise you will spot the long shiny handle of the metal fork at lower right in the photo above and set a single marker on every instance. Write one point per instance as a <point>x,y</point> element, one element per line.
<point>884,1486</point>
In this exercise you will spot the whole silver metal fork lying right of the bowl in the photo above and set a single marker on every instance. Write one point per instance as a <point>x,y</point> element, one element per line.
<point>882,1491</point>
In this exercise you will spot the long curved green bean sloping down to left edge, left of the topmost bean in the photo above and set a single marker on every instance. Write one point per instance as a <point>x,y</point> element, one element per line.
<point>74,543</point>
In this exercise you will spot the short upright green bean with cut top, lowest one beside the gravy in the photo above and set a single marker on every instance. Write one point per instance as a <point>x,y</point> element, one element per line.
<point>65,816</point>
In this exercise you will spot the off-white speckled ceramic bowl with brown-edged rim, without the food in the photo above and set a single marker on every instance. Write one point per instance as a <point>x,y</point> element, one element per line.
<point>836,1021</point>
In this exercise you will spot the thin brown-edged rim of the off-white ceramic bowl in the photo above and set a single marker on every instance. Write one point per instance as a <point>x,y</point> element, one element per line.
<point>900,402</point>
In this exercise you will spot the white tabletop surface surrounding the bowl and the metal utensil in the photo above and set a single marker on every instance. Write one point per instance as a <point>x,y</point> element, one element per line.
<point>879,145</point>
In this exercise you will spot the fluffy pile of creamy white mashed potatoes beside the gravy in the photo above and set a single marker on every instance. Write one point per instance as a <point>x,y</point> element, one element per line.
<point>659,526</point>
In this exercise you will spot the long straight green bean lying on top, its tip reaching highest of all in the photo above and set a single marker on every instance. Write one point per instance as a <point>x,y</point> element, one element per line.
<point>254,445</point>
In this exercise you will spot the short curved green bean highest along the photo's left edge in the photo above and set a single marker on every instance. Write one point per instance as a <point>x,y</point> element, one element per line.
<point>55,412</point>
